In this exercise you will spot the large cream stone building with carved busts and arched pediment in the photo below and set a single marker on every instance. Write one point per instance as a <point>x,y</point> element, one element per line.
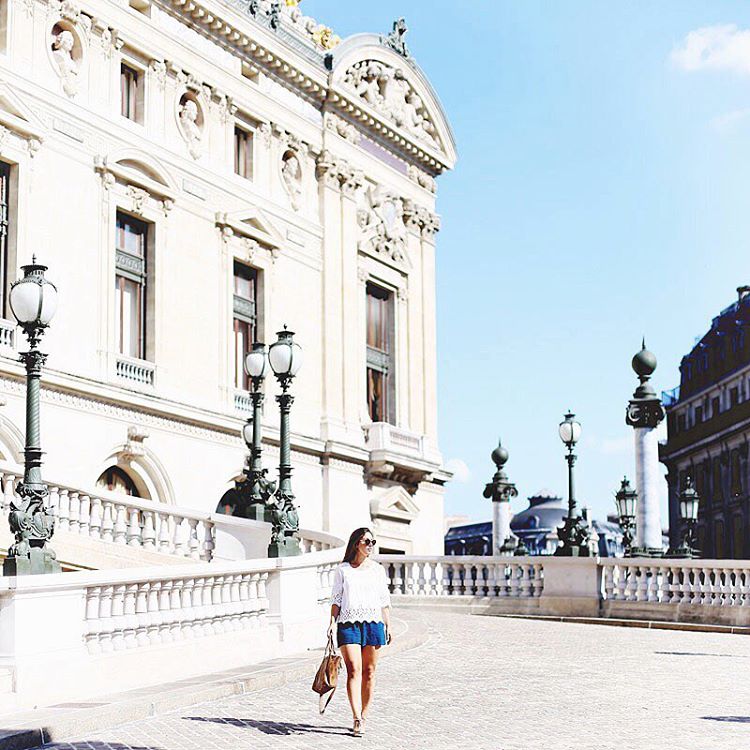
<point>197,173</point>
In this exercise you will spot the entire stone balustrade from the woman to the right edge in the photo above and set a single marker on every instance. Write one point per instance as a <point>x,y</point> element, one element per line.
<point>715,592</point>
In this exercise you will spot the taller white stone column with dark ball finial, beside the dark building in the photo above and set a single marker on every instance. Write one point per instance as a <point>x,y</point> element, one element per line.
<point>644,414</point>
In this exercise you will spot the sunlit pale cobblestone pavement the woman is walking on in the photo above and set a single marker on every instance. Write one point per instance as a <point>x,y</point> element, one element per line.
<point>485,683</point>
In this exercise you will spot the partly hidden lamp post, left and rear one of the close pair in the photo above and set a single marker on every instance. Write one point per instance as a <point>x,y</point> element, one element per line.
<point>255,491</point>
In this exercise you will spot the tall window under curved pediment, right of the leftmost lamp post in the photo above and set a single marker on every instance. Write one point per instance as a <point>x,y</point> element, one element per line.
<point>131,255</point>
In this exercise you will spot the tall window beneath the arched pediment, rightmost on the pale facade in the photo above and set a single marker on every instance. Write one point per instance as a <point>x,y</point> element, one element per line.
<point>380,380</point>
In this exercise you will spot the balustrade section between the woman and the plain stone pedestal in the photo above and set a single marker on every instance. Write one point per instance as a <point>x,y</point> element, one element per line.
<point>465,576</point>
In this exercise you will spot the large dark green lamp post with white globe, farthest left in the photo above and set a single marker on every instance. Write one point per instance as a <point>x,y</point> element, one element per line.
<point>33,300</point>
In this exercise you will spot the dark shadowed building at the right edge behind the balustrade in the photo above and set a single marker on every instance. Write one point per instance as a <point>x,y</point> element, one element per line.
<point>708,425</point>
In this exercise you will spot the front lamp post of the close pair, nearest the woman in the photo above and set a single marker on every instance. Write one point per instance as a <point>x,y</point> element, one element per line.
<point>285,358</point>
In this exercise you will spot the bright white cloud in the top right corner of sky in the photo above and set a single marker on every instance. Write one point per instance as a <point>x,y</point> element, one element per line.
<point>721,47</point>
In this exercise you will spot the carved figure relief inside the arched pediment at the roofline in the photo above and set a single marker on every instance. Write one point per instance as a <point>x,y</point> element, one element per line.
<point>386,89</point>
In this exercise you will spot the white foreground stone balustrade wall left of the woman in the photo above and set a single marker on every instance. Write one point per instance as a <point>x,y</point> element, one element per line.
<point>119,630</point>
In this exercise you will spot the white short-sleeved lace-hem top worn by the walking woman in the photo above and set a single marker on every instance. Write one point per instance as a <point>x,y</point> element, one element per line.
<point>360,592</point>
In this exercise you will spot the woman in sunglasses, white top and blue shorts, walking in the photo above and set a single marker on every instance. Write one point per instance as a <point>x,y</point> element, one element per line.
<point>360,612</point>
